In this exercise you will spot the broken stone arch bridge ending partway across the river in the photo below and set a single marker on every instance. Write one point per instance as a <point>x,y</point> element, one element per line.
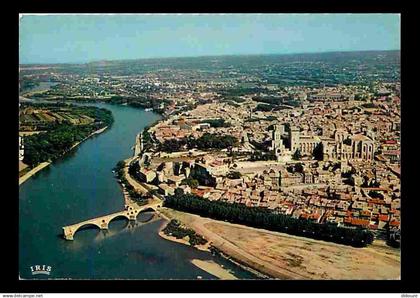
<point>102,222</point>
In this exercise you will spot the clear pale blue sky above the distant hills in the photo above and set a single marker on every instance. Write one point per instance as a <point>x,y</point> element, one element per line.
<point>86,38</point>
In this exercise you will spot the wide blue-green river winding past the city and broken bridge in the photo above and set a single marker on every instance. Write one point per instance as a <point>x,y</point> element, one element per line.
<point>81,185</point>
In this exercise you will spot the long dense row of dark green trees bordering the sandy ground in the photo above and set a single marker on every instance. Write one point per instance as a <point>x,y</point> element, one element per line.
<point>263,218</point>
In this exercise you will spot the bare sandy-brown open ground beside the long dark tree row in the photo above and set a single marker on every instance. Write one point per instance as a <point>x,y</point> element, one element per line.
<point>289,257</point>
